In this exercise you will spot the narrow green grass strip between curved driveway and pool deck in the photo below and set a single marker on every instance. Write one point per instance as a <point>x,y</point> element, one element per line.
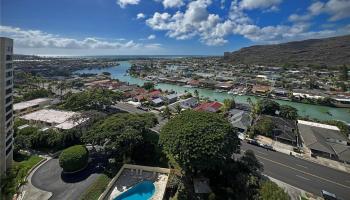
<point>97,188</point>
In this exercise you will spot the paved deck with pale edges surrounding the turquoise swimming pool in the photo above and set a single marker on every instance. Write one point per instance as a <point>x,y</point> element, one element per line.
<point>130,175</point>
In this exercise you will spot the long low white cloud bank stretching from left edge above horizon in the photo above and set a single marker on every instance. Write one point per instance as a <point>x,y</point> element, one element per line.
<point>38,39</point>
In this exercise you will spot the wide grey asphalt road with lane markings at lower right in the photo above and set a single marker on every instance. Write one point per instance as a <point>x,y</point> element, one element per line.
<point>303,174</point>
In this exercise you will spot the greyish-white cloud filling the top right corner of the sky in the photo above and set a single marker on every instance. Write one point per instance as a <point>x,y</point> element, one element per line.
<point>337,9</point>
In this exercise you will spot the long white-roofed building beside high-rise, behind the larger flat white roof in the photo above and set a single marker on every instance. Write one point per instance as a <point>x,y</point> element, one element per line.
<point>26,107</point>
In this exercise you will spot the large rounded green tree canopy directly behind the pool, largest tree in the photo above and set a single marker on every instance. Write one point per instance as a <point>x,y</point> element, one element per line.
<point>199,140</point>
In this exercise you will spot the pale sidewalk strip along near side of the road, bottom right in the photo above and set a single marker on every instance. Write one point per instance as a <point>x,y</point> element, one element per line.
<point>294,193</point>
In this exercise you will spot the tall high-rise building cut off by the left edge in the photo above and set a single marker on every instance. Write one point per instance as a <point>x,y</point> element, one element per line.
<point>6,113</point>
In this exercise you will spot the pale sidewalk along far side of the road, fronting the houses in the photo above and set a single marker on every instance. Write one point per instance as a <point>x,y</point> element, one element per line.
<point>287,149</point>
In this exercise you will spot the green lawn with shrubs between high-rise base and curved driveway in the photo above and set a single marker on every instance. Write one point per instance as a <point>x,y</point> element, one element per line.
<point>15,177</point>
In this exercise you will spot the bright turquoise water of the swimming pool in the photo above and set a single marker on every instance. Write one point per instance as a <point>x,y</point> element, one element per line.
<point>141,191</point>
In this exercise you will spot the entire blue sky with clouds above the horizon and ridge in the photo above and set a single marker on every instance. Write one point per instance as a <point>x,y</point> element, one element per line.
<point>176,27</point>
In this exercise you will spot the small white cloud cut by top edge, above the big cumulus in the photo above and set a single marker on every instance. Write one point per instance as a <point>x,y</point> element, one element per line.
<point>259,4</point>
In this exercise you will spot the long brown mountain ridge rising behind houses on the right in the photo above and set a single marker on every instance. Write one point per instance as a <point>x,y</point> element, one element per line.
<point>326,52</point>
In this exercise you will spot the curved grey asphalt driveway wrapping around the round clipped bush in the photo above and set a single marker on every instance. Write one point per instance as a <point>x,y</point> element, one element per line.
<point>49,177</point>
